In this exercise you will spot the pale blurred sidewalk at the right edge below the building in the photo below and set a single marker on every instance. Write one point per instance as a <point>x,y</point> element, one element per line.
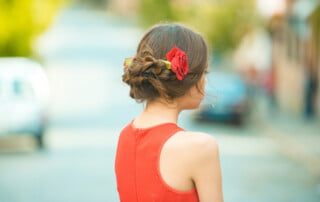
<point>297,138</point>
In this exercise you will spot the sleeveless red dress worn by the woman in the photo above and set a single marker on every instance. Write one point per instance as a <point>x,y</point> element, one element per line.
<point>137,166</point>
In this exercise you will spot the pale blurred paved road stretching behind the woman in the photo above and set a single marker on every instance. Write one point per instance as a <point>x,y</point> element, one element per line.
<point>84,53</point>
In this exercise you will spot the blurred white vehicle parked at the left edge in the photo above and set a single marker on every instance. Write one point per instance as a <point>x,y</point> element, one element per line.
<point>24,96</point>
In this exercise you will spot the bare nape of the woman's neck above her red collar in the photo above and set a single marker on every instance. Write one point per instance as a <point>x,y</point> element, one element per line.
<point>157,113</point>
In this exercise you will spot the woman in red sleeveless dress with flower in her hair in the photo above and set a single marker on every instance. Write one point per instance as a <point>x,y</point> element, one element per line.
<point>156,160</point>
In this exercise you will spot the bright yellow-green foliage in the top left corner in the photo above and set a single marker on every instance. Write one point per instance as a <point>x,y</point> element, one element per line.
<point>21,21</point>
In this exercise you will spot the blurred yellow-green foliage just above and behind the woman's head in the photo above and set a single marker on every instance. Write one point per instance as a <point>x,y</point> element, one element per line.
<point>223,22</point>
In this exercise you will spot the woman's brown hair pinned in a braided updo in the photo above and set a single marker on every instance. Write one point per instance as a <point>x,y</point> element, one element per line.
<point>148,76</point>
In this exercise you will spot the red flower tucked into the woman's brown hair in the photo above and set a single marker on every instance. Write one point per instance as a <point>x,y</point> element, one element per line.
<point>179,62</point>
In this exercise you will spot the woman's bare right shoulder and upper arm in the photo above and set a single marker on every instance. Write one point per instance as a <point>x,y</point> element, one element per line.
<point>197,154</point>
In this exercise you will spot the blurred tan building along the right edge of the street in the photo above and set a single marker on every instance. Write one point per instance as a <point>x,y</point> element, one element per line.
<point>295,56</point>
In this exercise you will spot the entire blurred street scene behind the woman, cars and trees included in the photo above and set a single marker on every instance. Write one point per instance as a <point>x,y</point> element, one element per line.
<point>59,124</point>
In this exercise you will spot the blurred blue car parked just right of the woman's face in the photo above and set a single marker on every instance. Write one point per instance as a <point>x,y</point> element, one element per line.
<point>226,99</point>
